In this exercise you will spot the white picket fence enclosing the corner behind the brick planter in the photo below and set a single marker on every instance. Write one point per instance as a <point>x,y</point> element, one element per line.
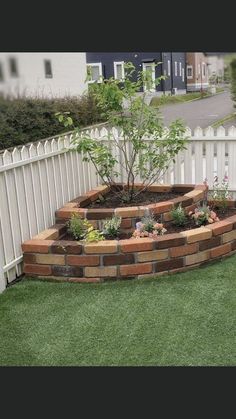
<point>37,179</point>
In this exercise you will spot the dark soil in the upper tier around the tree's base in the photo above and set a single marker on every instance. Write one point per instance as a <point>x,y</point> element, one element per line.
<point>111,200</point>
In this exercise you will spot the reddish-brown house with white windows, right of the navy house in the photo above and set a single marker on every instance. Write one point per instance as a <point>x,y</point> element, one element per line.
<point>196,71</point>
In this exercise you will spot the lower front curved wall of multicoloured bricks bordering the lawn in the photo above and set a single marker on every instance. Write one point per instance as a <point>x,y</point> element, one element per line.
<point>47,256</point>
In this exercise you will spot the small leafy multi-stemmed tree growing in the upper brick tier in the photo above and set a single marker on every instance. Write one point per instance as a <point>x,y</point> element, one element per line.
<point>146,147</point>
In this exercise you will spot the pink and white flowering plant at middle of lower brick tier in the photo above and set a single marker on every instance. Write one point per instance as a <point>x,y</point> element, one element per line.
<point>149,227</point>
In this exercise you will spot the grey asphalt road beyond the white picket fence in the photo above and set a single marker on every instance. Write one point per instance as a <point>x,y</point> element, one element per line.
<point>202,112</point>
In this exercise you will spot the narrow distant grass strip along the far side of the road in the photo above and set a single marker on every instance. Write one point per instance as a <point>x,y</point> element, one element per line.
<point>168,99</point>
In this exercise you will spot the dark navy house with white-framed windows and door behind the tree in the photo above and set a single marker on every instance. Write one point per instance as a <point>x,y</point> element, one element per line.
<point>111,64</point>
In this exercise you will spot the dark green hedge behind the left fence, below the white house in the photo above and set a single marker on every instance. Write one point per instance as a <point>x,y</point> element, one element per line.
<point>25,120</point>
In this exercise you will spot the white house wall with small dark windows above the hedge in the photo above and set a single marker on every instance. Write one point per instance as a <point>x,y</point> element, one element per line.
<point>38,74</point>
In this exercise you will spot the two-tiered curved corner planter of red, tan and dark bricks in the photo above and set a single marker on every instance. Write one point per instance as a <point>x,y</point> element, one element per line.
<point>48,255</point>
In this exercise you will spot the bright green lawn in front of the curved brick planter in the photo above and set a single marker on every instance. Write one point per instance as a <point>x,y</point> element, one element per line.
<point>185,319</point>
